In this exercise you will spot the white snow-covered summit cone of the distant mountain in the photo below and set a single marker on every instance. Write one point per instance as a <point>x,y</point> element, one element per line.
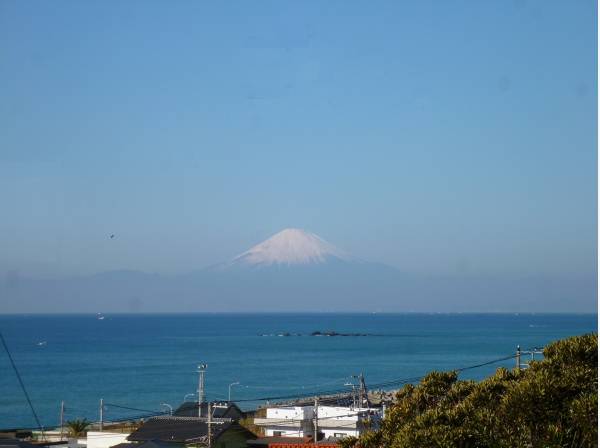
<point>289,247</point>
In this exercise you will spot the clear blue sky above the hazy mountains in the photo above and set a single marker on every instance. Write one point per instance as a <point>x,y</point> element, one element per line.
<point>437,137</point>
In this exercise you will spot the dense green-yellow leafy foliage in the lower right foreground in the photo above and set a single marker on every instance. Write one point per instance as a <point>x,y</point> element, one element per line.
<point>553,403</point>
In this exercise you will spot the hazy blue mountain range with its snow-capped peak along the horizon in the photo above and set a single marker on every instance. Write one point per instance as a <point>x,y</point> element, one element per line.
<point>294,270</point>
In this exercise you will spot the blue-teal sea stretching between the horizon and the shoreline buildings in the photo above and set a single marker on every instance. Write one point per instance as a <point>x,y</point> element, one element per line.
<point>141,361</point>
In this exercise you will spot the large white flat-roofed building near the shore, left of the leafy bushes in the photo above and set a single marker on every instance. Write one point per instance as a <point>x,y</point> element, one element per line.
<point>332,421</point>
